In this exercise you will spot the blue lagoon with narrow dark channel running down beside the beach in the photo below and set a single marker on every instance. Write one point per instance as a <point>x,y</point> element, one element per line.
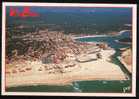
<point>111,41</point>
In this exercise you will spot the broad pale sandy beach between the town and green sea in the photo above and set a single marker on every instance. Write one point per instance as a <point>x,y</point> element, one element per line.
<point>101,69</point>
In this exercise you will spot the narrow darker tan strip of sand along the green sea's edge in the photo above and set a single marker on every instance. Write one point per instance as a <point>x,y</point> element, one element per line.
<point>61,82</point>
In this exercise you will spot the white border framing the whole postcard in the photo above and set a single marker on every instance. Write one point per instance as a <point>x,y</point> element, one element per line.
<point>134,28</point>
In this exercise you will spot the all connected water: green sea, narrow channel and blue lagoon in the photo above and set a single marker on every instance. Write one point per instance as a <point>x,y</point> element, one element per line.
<point>90,86</point>
